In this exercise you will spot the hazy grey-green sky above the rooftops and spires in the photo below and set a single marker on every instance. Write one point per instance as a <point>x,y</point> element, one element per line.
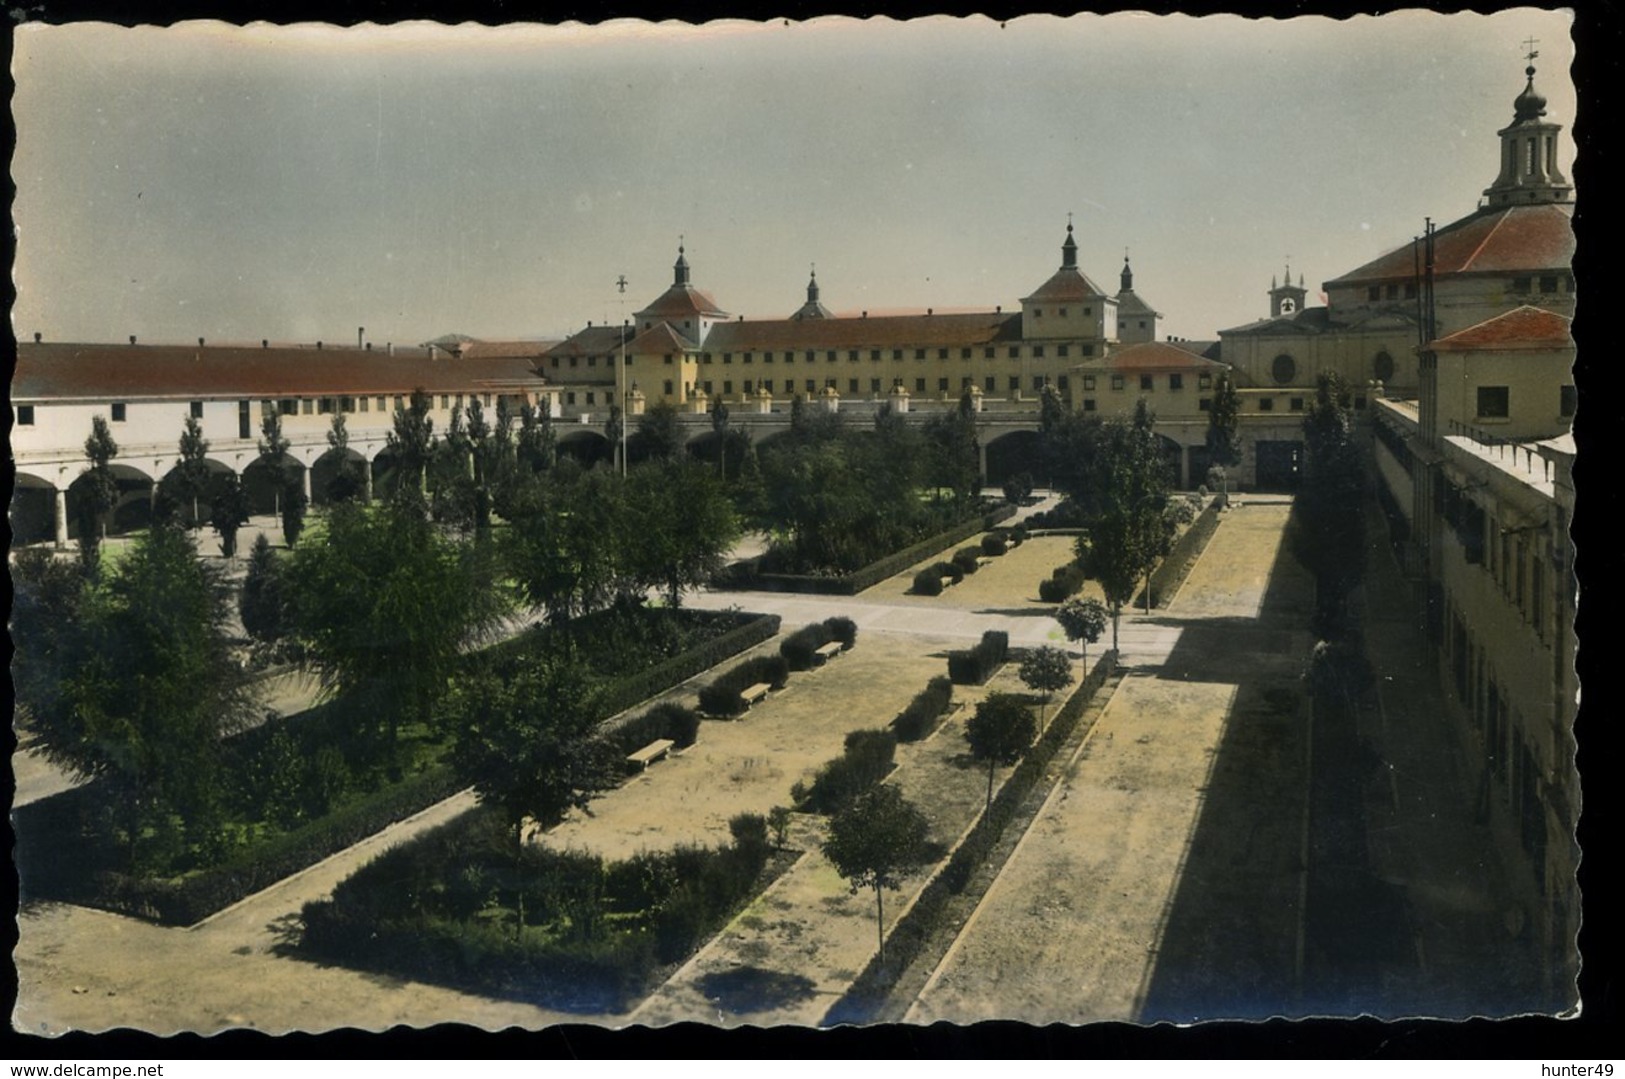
<point>300,183</point>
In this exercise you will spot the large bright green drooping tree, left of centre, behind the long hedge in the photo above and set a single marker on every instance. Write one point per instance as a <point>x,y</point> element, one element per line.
<point>384,605</point>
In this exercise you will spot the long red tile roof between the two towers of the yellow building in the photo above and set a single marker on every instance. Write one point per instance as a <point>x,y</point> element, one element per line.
<point>886,332</point>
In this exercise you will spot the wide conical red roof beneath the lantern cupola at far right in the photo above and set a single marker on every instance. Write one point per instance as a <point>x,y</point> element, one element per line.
<point>1493,241</point>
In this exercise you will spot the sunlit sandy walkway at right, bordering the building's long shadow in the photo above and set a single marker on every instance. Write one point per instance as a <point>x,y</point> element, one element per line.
<point>1072,929</point>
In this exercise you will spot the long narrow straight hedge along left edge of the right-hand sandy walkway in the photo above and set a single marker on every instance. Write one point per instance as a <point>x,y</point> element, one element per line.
<point>914,930</point>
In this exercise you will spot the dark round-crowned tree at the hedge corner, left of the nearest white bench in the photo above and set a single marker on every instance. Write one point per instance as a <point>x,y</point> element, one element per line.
<point>526,742</point>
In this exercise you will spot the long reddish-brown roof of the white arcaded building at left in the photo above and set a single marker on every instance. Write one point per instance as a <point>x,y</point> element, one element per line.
<point>183,371</point>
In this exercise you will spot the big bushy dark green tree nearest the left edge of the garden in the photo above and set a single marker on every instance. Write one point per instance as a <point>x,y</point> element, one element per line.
<point>150,690</point>
